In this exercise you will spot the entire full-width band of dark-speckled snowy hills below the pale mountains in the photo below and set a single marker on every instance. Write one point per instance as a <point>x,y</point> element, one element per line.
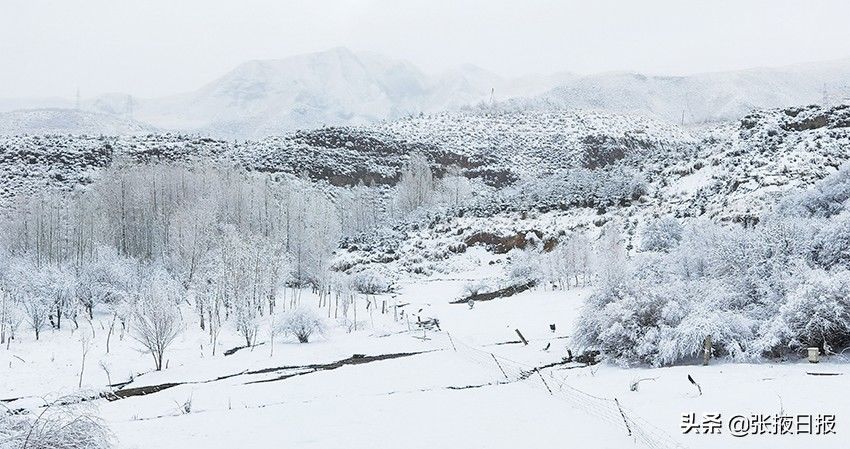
<point>730,172</point>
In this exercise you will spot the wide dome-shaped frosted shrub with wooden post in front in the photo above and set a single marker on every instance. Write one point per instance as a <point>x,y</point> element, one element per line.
<point>662,321</point>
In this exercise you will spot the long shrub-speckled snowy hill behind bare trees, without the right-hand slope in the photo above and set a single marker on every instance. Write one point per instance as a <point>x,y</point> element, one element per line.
<point>498,148</point>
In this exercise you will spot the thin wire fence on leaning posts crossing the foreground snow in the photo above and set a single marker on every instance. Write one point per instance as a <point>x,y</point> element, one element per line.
<point>608,410</point>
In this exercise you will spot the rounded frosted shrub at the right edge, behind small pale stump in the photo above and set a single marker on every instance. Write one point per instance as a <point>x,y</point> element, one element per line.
<point>817,312</point>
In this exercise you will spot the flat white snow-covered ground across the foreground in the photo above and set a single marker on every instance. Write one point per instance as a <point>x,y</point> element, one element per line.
<point>470,384</point>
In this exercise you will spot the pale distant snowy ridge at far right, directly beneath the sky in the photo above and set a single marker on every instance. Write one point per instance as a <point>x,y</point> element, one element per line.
<point>707,97</point>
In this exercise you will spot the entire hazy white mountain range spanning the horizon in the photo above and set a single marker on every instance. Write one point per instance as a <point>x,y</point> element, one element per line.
<point>340,87</point>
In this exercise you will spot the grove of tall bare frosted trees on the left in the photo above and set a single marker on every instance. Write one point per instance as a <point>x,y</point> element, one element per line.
<point>146,239</point>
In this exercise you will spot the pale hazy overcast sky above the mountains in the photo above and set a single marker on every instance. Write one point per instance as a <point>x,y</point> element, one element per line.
<point>160,47</point>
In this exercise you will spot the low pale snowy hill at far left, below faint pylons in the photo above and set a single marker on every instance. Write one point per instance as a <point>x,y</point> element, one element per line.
<point>68,121</point>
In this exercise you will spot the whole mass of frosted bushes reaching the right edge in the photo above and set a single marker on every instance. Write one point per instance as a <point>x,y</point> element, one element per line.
<point>767,290</point>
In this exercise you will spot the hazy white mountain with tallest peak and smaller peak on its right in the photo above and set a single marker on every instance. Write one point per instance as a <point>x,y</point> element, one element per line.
<point>335,87</point>
